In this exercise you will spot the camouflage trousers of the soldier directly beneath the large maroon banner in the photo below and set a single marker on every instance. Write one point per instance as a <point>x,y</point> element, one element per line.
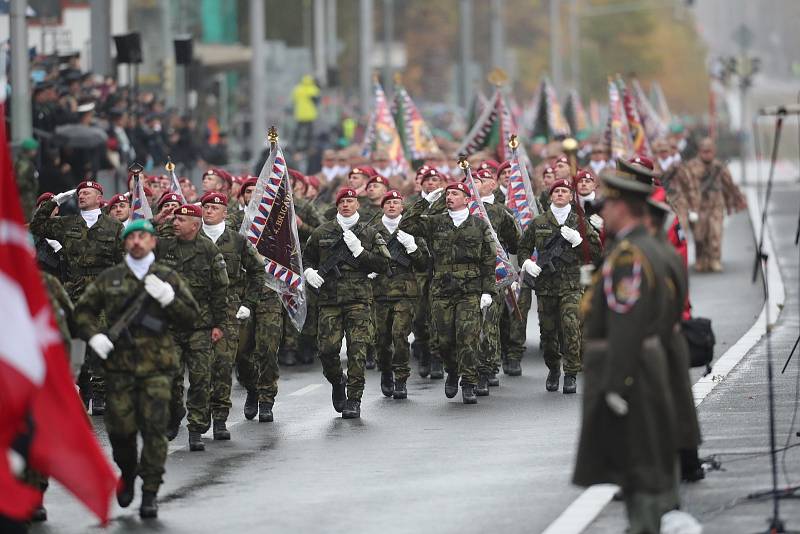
<point>257,359</point>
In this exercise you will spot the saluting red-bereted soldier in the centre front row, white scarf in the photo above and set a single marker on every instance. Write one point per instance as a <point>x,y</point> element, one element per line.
<point>463,252</point>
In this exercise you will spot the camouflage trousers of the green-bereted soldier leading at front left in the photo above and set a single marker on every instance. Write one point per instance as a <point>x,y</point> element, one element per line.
<point>139,404</point>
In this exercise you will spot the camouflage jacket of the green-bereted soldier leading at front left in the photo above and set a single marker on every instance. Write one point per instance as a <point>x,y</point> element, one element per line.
<point>143,352</point>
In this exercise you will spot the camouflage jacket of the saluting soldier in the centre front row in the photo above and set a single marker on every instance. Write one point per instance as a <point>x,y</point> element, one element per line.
<point>463,256</point>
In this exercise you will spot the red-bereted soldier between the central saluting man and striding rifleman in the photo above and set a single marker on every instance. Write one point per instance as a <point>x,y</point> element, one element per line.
<point>395,297</point>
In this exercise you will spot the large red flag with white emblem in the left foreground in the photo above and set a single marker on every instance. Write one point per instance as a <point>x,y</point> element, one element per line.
<point>37,395</point>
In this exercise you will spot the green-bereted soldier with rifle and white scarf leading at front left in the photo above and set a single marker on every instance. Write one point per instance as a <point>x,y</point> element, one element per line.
<point>140,370</point>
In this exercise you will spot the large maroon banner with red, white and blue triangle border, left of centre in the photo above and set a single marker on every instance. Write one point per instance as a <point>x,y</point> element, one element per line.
<point>270,225</point>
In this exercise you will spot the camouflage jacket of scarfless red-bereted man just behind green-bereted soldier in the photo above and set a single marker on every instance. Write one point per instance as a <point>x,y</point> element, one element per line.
<point>202,266</point>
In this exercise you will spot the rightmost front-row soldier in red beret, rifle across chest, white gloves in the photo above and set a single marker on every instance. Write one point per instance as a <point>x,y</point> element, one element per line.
<point>558,292</point>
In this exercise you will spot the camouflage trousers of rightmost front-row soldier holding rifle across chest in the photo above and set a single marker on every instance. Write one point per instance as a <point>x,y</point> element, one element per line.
<point>560,331</point>
